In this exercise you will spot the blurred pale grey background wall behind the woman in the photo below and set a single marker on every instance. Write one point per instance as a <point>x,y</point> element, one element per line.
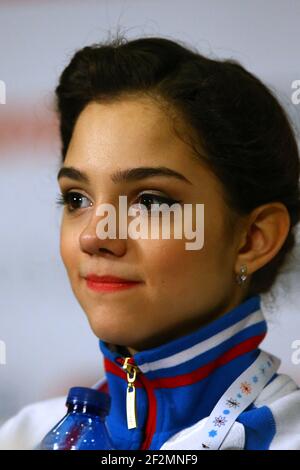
<point>49,346</point>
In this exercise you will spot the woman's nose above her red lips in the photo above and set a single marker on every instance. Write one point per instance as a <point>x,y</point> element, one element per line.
<point>90,242</point>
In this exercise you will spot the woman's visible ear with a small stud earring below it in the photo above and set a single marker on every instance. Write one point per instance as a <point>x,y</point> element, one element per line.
<point>264,233</point>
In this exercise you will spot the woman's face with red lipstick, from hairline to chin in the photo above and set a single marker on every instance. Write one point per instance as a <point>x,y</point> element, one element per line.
<point>179,289</point>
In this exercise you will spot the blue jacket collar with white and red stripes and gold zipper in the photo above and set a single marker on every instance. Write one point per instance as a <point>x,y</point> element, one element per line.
<point>179,382</point>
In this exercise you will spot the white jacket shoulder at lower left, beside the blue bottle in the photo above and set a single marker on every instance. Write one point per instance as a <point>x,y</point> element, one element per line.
<point>26,429</point>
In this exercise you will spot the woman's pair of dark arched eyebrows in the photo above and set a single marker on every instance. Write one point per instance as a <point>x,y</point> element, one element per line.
<point>127,175</point>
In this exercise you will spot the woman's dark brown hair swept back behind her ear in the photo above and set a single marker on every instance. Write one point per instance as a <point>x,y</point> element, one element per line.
<point>247,137</point>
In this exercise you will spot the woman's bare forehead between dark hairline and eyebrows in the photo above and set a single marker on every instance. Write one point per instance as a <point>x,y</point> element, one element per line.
<point>130,133</point>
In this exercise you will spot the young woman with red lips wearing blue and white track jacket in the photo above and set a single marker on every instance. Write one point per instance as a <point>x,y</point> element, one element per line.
<point>157,122</point>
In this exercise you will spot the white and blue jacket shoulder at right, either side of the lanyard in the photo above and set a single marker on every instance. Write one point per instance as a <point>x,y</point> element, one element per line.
<point>271,423</point>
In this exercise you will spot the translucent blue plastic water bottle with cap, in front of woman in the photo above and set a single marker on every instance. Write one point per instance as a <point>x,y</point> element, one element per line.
<point>84,426</point>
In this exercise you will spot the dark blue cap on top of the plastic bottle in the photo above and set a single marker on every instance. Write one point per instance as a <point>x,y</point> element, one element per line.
<point>89,396</point>
